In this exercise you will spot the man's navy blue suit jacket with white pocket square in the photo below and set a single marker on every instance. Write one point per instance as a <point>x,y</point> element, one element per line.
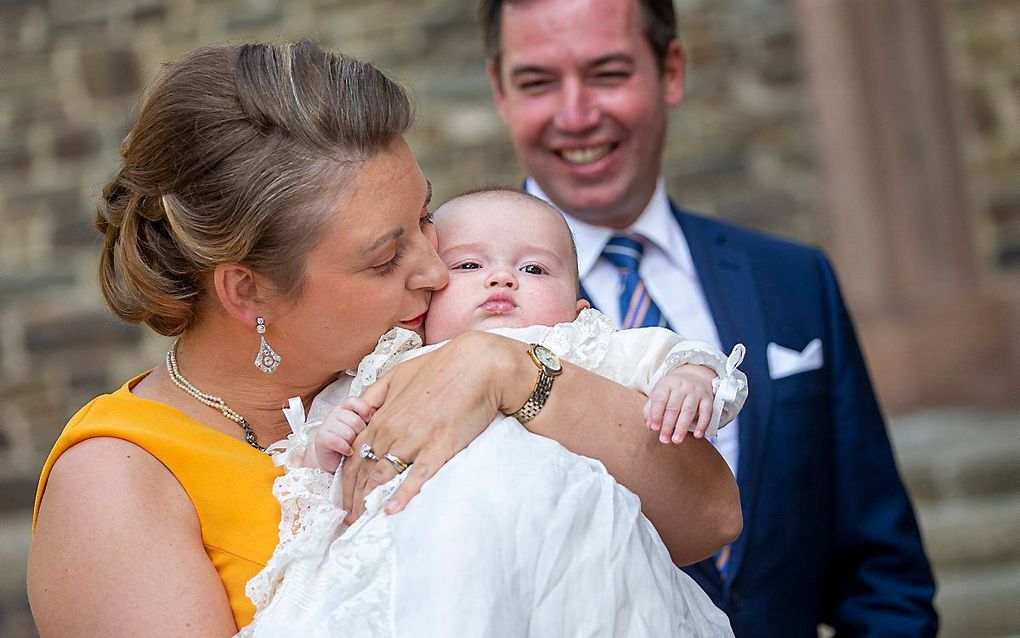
<point>830,535</point>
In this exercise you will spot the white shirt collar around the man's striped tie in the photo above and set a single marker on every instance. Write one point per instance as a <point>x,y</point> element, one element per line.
<point>656,224</point>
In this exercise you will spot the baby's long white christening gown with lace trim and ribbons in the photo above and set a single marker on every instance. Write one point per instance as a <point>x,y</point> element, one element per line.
<point>515,536</point>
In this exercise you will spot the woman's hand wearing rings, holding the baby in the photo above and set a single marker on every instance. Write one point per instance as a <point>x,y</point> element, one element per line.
<point>430,409</point>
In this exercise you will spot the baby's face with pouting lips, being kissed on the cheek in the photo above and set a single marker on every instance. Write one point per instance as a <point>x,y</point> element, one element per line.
<point>511,266</point>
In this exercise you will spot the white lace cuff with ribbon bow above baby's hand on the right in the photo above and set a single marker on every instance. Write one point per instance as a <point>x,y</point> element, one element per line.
<point>730,386</point>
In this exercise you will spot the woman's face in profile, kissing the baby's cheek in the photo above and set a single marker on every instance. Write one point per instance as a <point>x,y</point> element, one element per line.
<point>375,269</point>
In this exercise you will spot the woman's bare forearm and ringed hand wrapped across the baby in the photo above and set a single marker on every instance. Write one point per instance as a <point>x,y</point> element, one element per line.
<point>433,407</point>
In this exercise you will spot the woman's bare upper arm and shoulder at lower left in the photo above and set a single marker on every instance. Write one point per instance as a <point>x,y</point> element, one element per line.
<point>118,551</point>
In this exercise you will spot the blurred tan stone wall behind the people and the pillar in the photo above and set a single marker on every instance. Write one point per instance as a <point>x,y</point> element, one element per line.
<point>741,148</point>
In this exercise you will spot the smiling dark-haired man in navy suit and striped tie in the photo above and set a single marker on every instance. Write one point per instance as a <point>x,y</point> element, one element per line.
<point>830,535</point>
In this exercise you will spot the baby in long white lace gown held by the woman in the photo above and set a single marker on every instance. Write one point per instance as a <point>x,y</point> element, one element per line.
<point>517,535</point>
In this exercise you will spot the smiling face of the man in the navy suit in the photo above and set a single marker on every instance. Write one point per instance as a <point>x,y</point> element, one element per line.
<point>582,94</point>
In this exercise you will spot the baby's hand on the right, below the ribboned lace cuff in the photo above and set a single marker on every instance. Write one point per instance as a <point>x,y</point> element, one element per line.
<point>682,399</point>
